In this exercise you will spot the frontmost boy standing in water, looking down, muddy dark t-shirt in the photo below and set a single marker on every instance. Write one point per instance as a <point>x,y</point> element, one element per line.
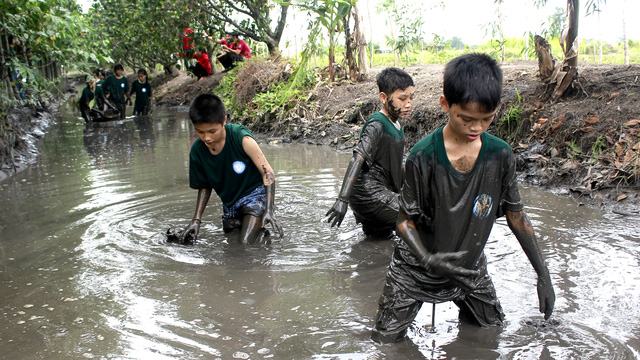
<point>458,180</point>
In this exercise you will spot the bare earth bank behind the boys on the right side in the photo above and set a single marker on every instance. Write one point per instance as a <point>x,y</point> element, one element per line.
<point>588,143</point>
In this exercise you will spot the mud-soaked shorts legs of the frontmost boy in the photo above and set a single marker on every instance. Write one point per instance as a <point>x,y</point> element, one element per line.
<point>397,310</point>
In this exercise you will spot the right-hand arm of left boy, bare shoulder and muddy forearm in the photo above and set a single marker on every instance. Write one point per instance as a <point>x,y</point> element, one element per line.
<point>251,148</point>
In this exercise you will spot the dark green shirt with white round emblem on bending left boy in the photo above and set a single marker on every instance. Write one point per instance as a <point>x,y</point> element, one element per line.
<point>231,173</point>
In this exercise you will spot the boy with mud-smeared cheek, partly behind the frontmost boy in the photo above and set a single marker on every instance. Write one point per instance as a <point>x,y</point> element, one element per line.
<point>374,175</point>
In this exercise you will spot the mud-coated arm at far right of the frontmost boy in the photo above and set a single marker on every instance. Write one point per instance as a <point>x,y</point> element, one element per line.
<point>523,230</point>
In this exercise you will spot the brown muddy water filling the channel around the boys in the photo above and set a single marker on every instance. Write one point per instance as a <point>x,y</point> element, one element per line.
<point>84,271</point>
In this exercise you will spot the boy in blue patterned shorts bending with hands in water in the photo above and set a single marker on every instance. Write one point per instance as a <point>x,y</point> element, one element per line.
<point>227,159</point>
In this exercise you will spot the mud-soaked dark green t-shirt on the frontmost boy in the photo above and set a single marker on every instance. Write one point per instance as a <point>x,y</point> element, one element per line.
<point>453,211</point>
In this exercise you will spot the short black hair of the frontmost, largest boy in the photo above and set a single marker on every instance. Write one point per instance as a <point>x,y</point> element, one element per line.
<point>473,78</point>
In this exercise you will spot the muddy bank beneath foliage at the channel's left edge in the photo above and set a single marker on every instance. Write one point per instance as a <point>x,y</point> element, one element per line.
<point>24,126</point>
